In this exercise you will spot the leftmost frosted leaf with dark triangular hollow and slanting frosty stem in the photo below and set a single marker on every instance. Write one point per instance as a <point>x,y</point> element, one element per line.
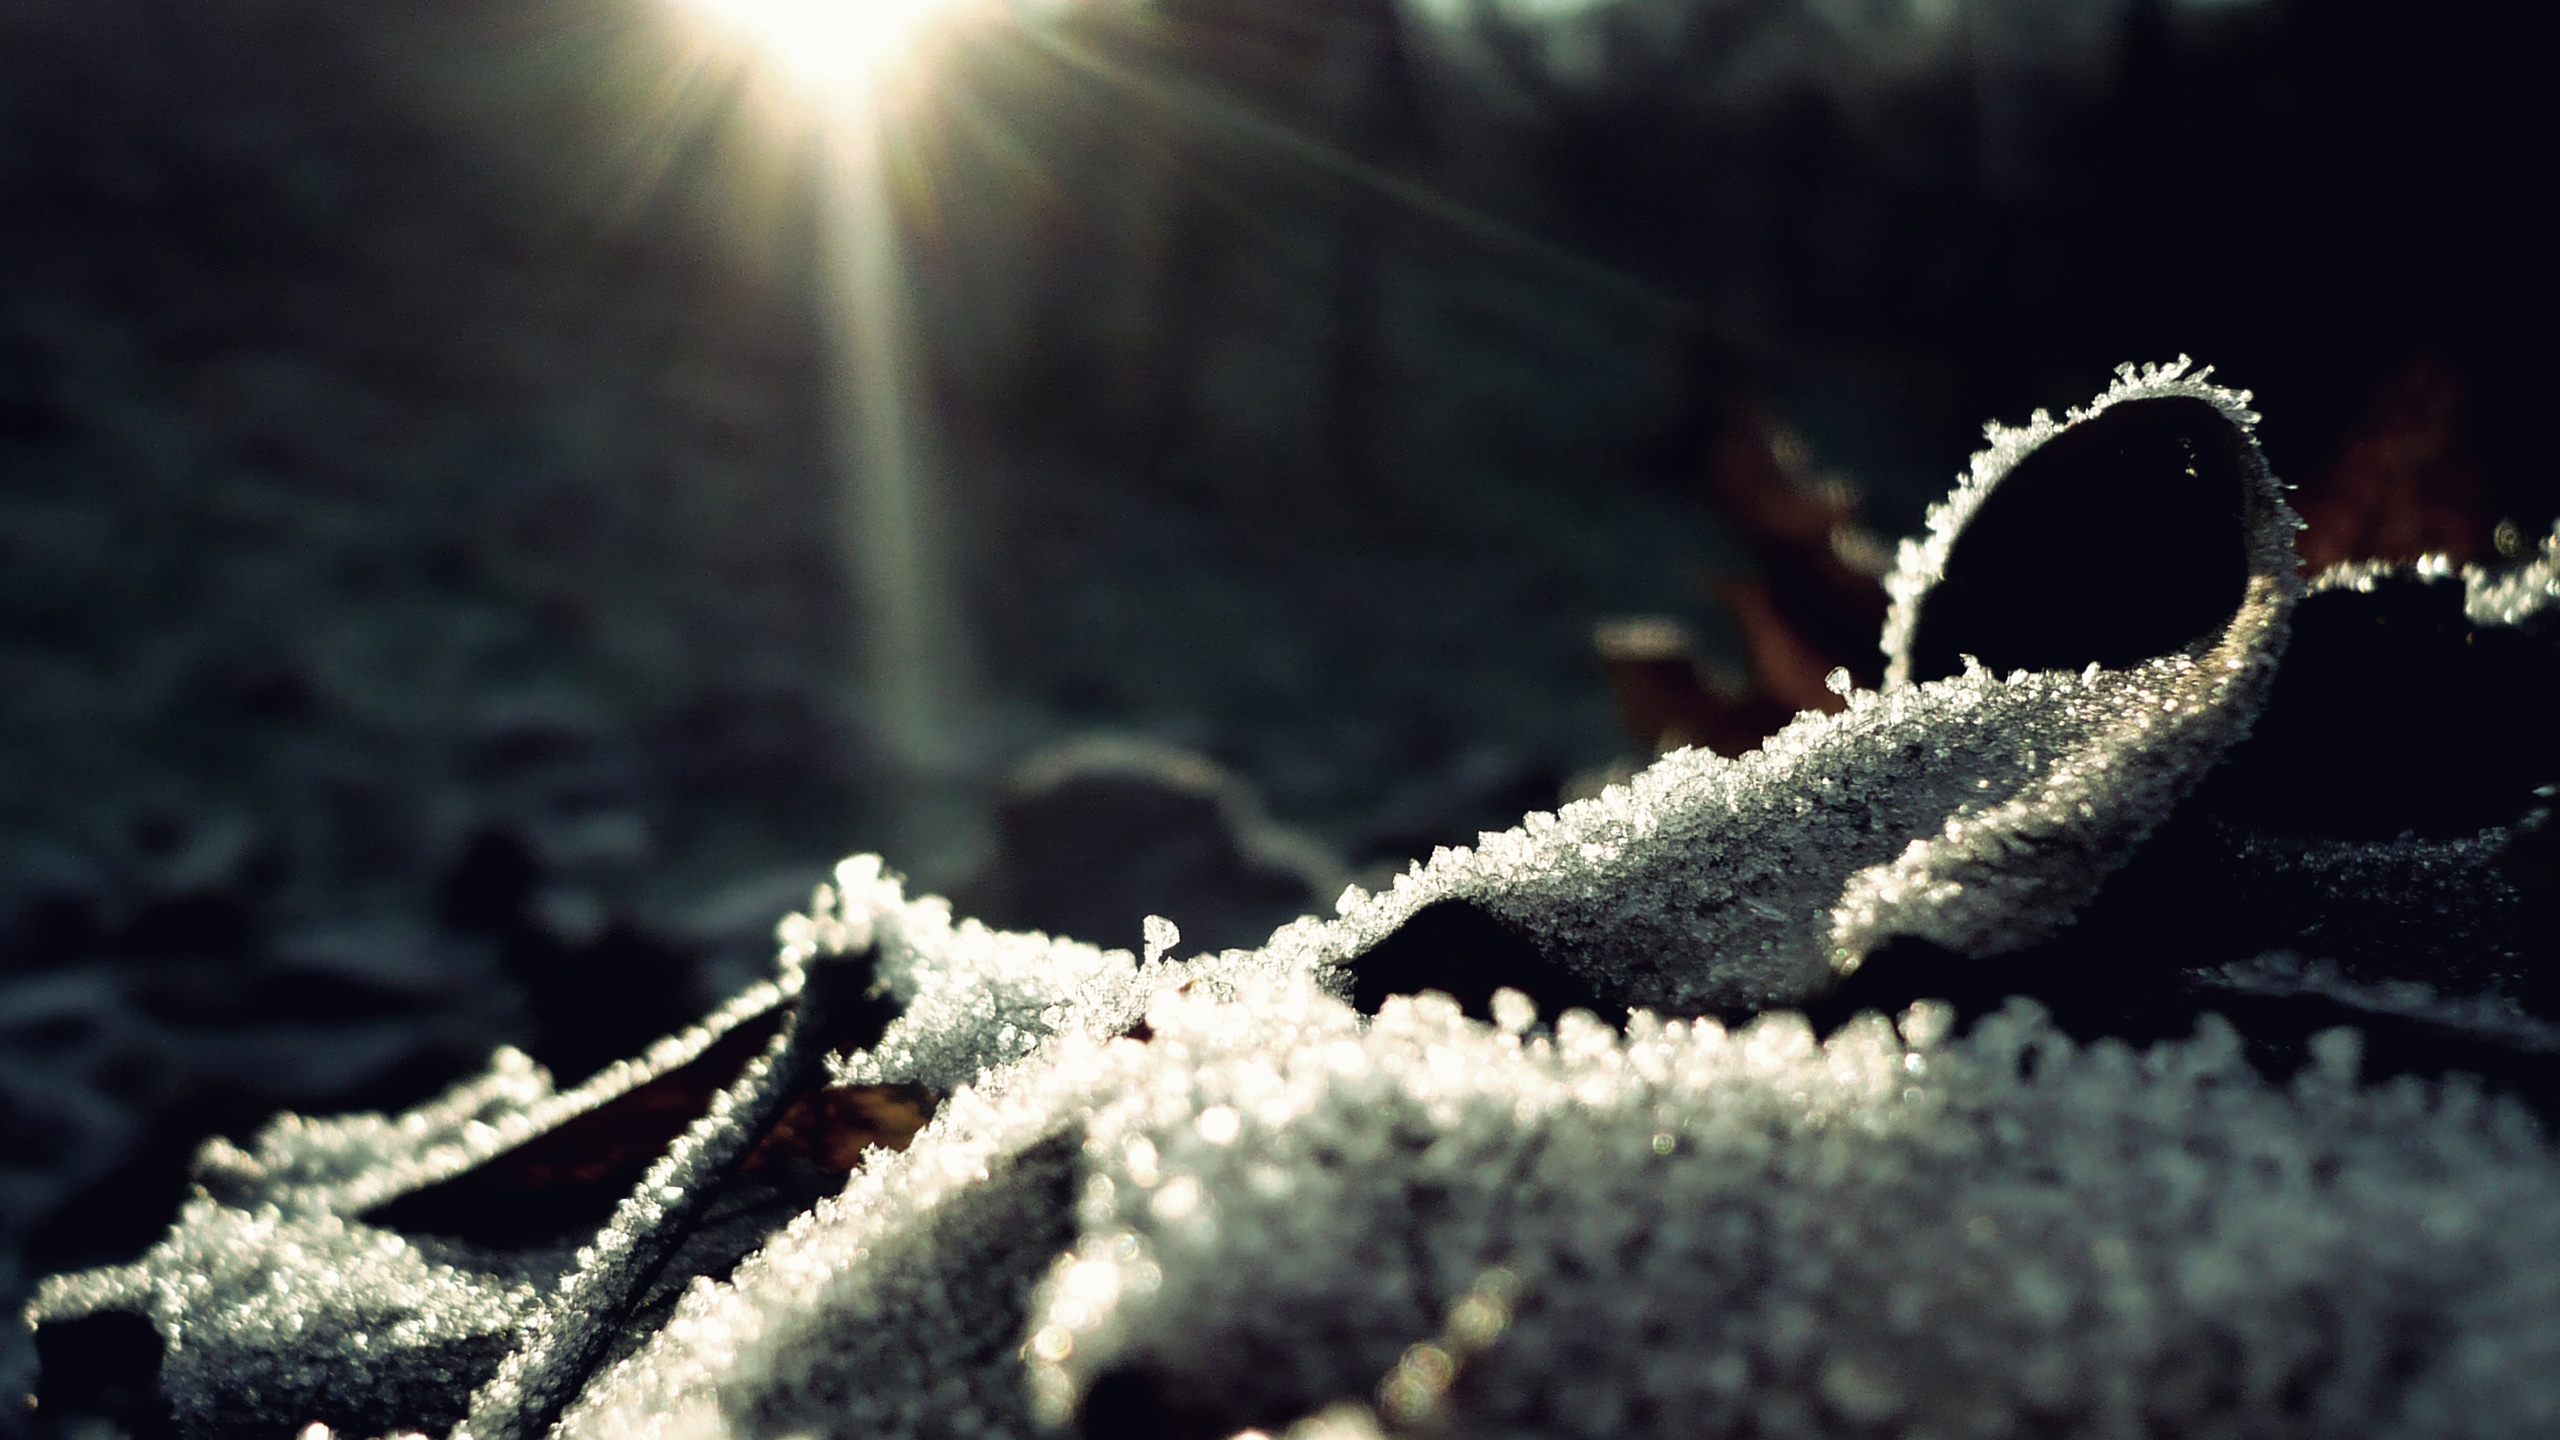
<point>375,1272</point>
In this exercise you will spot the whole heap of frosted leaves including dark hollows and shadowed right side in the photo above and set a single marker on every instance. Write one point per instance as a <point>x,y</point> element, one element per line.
<point>1612,1180</point>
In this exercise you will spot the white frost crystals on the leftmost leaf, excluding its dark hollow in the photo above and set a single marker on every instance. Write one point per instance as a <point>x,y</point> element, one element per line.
<point>278,1300</point>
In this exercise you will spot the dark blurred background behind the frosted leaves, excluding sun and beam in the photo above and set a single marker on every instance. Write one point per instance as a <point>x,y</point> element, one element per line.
<point>424,603</point>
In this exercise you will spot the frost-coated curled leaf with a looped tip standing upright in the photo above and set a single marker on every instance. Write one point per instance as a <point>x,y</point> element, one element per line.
<point>1978,811</point>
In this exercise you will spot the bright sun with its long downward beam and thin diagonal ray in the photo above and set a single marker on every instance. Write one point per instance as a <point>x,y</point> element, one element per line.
<point>877,91</point>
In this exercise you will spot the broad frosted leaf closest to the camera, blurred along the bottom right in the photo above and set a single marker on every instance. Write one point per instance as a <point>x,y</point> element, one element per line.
<point>1704,1231</point>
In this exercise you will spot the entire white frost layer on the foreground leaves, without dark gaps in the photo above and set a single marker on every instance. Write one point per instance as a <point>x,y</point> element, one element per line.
<point>1207,1195</point>
